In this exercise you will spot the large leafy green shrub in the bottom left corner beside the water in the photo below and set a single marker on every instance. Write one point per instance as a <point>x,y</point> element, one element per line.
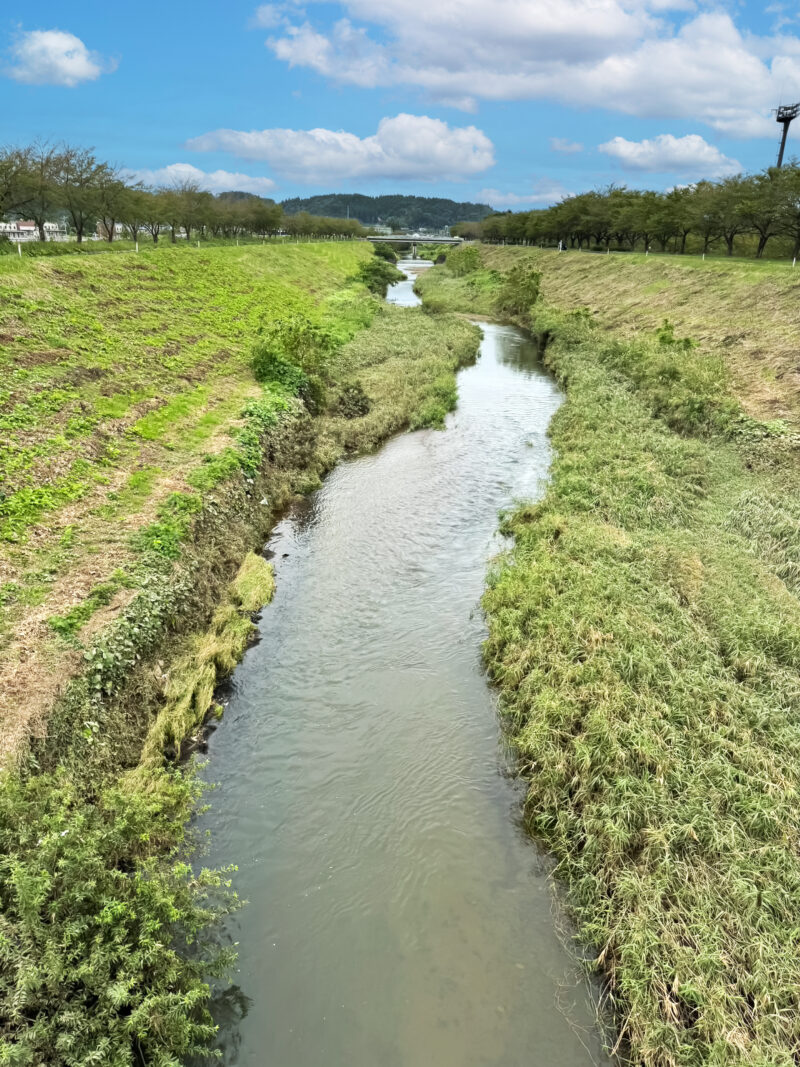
<point>99,901</point>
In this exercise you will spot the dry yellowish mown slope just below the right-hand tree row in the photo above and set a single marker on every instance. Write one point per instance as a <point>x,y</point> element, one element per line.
<point>745,312</point>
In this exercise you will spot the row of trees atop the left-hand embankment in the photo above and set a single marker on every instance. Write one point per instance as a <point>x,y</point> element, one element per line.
<point>45,183</point>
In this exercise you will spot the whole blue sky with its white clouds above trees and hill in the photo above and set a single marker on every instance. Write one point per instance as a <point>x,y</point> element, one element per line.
<point>511,102</point>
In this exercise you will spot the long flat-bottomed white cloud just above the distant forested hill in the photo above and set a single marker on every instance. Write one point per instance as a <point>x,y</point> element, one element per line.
<point>404,148</point>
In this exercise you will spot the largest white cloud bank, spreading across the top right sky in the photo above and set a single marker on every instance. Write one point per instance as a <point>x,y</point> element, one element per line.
<point>646,58</point>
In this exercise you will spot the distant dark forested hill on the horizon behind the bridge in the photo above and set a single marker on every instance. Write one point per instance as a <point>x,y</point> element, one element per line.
<point>411,212</point>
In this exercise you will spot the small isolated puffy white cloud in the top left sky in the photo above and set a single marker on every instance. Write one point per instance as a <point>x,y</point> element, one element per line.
<point>55,58</point>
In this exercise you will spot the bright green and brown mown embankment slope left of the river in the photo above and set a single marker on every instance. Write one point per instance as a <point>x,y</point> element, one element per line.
<point>124,380</point>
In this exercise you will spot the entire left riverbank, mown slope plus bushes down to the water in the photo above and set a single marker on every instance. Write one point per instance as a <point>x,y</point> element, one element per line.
<point>143,461</point>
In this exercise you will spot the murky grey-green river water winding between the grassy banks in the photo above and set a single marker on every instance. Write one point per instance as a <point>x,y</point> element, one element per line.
<point>398,915</point>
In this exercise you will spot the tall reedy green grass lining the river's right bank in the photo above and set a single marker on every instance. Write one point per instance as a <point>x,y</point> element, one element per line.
<point>645,632</point>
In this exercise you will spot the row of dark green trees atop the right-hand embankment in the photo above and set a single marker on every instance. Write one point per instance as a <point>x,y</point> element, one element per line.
<point>746,214</point>
